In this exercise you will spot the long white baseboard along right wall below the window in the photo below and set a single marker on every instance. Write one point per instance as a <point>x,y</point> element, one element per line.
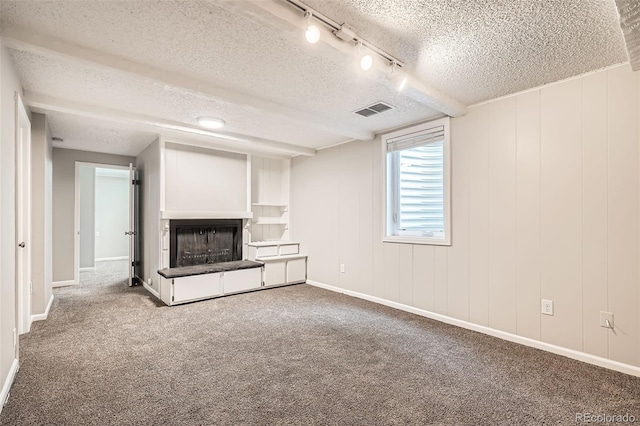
<point>548,347</point>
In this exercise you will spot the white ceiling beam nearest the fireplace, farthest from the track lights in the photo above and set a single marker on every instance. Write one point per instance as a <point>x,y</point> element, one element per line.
<point>170,129</point>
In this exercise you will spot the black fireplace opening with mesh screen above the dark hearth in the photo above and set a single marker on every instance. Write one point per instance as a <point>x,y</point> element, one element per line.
<point>204,241</point>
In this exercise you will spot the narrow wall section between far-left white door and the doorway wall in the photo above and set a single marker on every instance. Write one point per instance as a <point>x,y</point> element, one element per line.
<point>41,198</point>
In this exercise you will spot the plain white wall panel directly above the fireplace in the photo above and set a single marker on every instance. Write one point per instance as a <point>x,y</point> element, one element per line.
<point>199,179</point>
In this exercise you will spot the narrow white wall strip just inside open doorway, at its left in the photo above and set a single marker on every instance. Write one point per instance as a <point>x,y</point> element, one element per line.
<point>87,201</point>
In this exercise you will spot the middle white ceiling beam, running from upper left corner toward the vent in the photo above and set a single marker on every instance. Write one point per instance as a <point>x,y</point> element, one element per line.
<point>51,47</point>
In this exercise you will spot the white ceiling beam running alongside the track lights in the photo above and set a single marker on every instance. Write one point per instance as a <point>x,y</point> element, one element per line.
<point>289,17</point>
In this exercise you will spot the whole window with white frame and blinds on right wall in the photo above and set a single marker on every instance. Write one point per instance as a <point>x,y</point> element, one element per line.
<point>417,208</point>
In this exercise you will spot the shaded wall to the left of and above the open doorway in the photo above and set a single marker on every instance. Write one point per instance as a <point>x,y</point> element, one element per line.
<point>63,204</point>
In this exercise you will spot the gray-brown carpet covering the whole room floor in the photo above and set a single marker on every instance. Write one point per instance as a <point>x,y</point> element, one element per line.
<point>298,355</point>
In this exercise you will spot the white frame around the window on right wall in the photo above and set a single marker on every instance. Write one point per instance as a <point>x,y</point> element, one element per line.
<point>388,197</point>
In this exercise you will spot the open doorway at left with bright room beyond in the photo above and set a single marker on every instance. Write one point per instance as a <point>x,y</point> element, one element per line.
<point>103,215</point>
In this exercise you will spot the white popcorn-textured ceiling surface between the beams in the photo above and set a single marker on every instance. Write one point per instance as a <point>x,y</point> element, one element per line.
<point>472,51</point>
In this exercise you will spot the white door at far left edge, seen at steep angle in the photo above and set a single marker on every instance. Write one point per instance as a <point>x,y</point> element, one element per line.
<point>23,217</point>
